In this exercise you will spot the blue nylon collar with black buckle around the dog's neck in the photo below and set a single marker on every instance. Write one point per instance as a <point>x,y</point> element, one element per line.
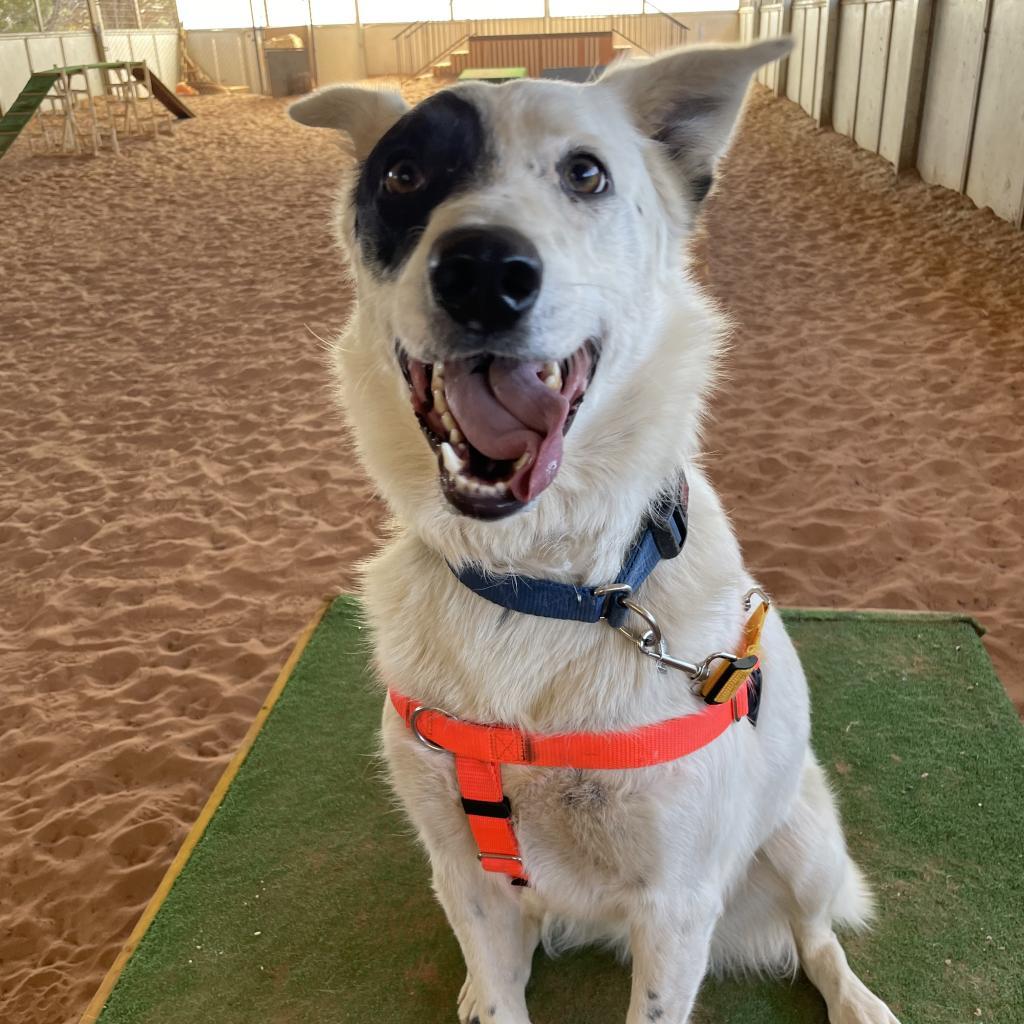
<point>662,536</point>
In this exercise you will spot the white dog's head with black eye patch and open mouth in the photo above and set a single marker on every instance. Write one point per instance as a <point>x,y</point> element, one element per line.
<point>517,251</point>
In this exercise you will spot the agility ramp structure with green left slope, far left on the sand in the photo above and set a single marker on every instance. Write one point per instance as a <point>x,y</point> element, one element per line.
<point>61,112</point>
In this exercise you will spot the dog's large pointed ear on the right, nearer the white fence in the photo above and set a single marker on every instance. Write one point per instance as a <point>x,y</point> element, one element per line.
<point>690,100</point>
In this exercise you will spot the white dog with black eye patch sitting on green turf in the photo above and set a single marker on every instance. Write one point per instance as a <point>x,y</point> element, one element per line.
<point>525,376</point>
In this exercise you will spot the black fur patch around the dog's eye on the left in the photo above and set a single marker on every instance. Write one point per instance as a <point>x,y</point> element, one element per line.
<point>445,139</point>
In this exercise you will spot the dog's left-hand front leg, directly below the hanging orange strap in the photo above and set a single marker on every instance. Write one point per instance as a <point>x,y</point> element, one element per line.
<point>498,941</point>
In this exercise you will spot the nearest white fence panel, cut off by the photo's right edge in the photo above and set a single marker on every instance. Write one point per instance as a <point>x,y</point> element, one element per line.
<point>997,175</point>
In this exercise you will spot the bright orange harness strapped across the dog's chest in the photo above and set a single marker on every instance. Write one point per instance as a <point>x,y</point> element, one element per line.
<point>733,695</point>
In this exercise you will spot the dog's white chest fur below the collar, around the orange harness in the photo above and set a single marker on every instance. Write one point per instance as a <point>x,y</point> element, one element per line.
<point>592,838</point>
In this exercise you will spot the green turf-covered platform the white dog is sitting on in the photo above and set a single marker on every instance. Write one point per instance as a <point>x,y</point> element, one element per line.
<point>307,902</point>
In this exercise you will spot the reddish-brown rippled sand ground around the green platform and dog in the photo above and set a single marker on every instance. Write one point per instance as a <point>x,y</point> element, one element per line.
<point>179,497</point>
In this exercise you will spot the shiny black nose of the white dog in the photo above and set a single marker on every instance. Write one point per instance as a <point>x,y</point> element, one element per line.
<point>485,278</point>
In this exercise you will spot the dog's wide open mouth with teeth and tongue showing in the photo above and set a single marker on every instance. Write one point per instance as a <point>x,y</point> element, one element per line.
<point>497,424</point>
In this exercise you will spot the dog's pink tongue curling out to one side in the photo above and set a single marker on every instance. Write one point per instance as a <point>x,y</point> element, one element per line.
<point>506,411</point>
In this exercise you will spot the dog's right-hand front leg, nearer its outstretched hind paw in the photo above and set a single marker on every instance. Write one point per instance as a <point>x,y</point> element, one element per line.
<point>670,946</point>
